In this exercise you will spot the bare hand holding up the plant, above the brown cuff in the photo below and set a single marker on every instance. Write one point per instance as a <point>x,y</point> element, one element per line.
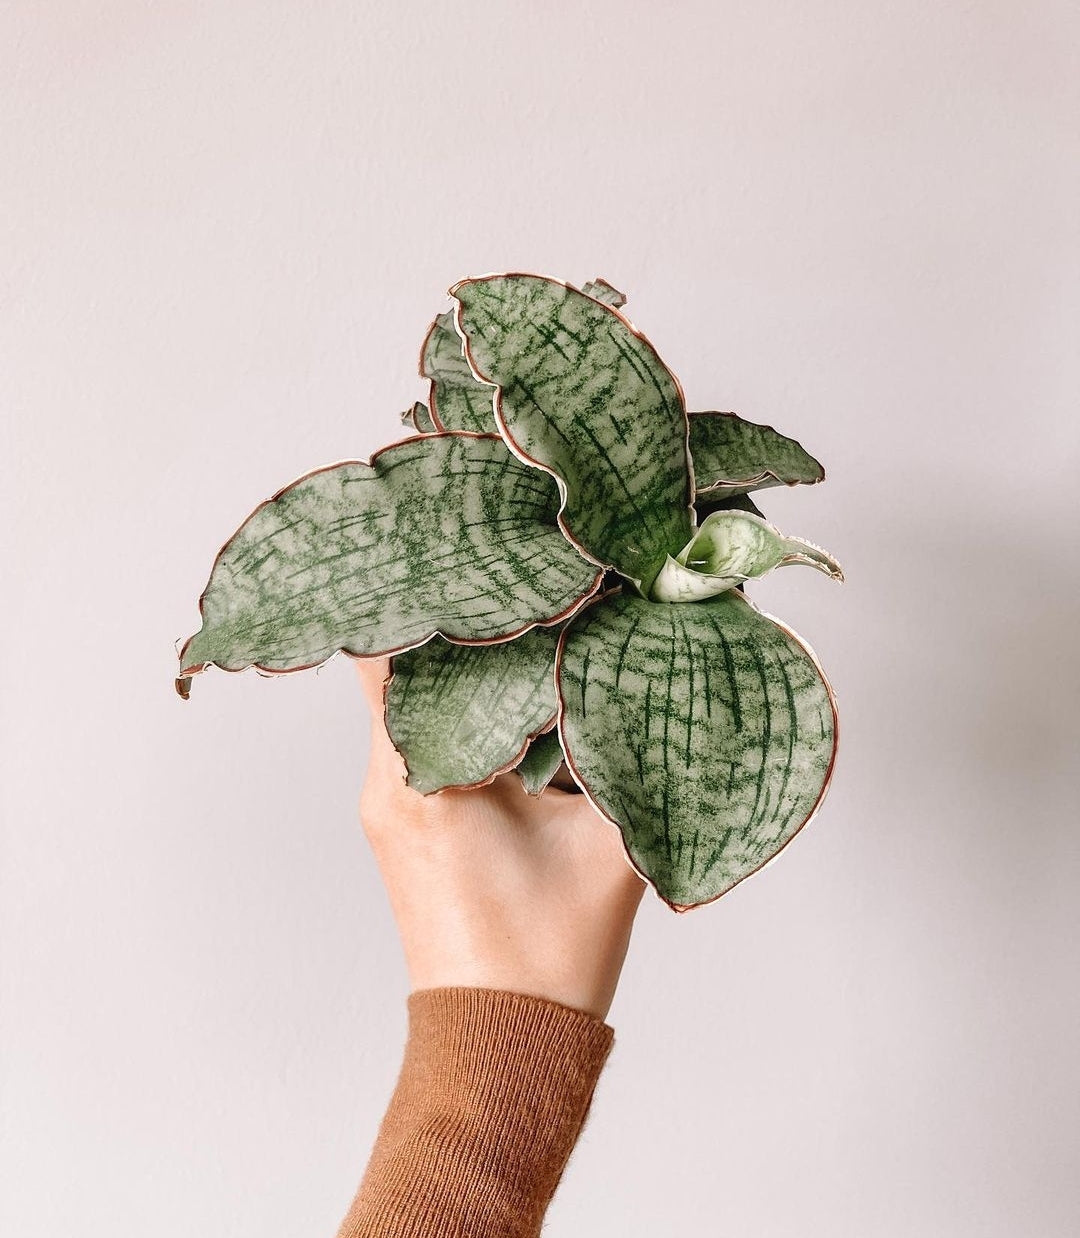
<point>497,890</point>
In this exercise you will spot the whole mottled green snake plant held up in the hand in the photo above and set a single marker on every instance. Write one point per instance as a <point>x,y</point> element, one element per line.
<point>555,561</point>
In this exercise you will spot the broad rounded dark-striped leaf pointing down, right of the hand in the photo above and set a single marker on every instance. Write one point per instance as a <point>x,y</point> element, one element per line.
<point>705,731</point>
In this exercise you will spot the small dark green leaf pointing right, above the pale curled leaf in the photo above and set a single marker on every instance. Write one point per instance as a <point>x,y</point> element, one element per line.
<point>733,456</point>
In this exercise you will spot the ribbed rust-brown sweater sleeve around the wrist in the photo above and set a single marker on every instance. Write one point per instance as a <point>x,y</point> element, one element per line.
<point>492,1097</point>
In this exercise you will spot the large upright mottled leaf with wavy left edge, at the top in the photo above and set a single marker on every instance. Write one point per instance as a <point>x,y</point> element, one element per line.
<point>586,398</point>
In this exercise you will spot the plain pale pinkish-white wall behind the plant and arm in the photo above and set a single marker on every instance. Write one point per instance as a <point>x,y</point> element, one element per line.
<point>226,228</point>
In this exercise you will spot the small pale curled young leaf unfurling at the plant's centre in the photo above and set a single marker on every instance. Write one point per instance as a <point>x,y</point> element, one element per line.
<point>730,549</point>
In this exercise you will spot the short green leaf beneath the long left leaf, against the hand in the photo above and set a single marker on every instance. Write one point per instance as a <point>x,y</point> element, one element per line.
<point>461,714</point>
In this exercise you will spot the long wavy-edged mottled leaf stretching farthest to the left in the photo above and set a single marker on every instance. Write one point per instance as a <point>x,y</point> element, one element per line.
<point>446,534</point>
